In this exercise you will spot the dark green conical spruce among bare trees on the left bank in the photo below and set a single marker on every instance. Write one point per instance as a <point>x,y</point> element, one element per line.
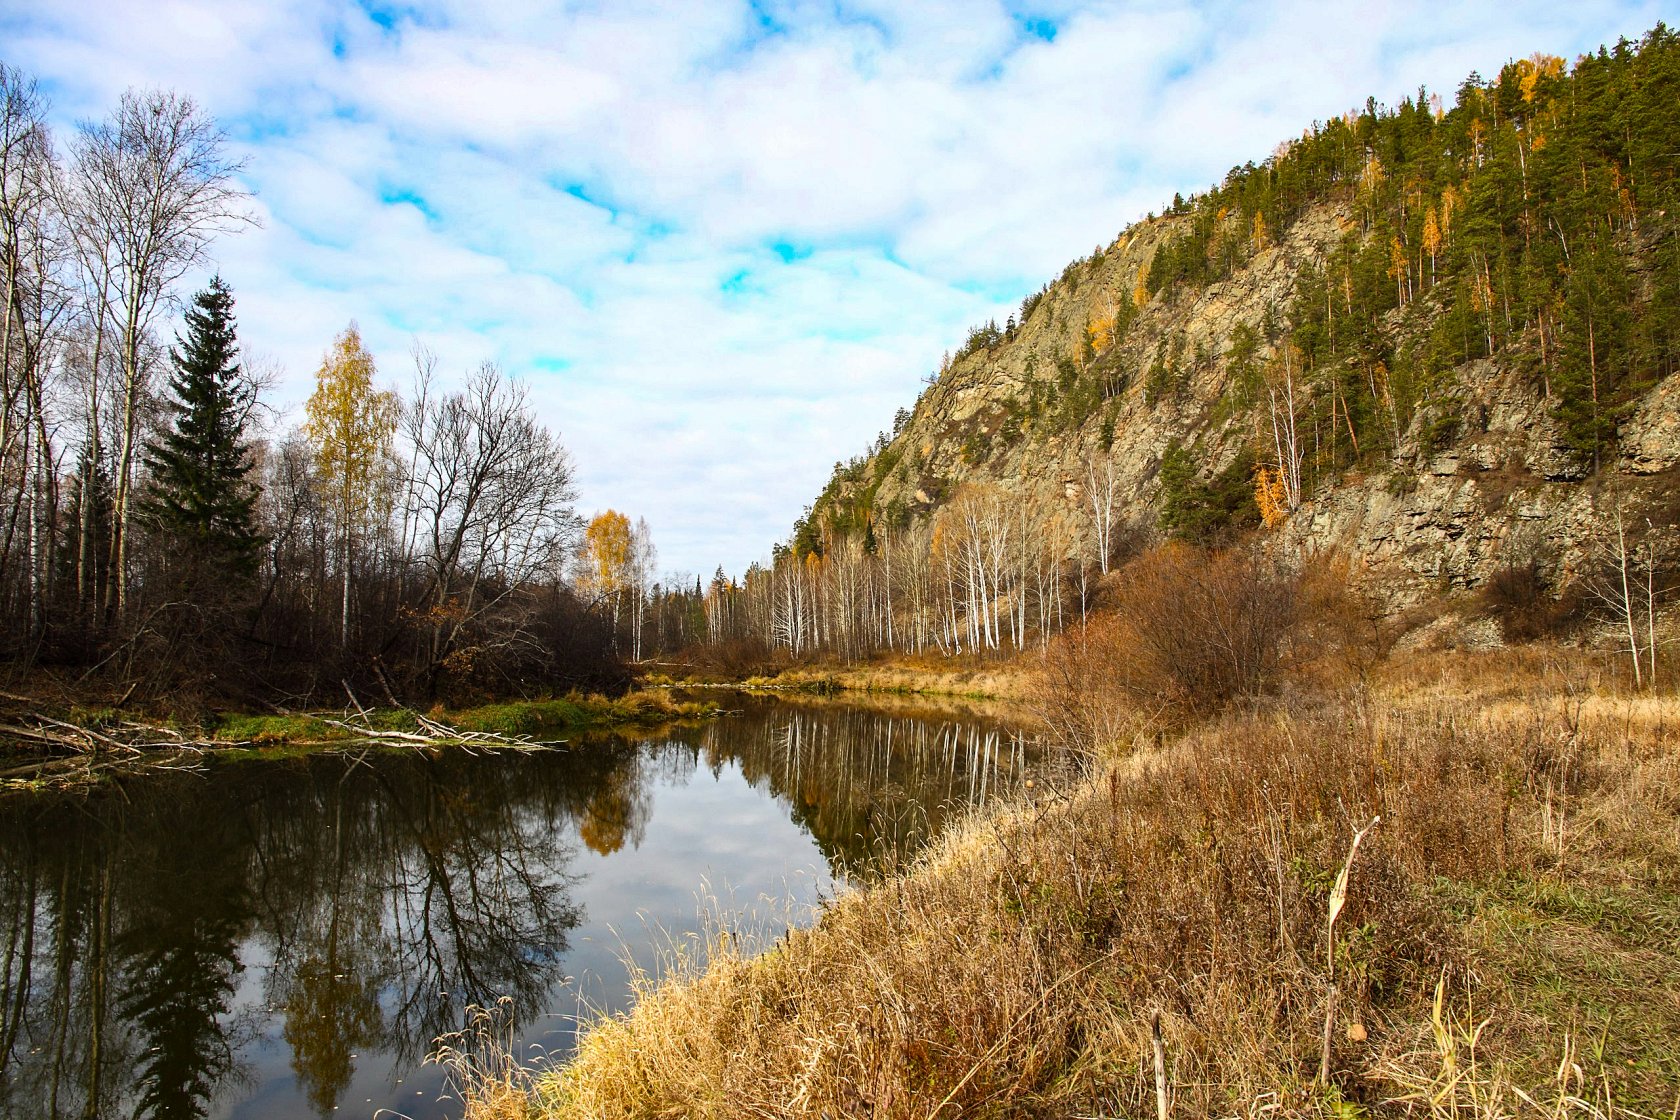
<point>199,498</point>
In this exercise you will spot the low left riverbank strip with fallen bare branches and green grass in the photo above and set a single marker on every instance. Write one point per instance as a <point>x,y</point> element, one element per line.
<point>81,745</point>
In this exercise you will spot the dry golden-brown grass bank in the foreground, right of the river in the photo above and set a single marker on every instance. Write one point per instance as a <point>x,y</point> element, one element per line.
<point>1508,943</point>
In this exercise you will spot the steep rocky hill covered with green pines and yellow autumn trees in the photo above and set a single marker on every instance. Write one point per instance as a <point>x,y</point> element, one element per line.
<point>1439,335</point>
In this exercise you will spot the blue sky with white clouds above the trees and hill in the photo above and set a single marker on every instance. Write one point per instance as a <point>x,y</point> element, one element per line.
<point>725,243</point>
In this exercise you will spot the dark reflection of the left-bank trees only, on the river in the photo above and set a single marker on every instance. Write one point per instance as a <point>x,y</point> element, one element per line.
<point>379,898</point>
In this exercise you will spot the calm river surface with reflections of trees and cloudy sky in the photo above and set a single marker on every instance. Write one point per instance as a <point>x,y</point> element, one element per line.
<point>288,938</point>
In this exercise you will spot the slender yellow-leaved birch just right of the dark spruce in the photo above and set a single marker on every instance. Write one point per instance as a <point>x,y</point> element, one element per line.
<point>350,424</point>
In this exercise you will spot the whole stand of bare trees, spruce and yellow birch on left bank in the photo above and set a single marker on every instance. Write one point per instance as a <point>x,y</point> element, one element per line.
<point>152,535</point>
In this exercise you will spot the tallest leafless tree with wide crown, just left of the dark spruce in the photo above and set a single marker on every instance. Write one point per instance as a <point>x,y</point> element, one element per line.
<point>150,191</point>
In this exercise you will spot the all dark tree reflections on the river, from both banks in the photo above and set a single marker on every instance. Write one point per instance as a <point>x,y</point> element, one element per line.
<point>379,898</point>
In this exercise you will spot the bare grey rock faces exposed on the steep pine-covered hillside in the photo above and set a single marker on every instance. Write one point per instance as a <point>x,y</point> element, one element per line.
<point>1439,515</point>
